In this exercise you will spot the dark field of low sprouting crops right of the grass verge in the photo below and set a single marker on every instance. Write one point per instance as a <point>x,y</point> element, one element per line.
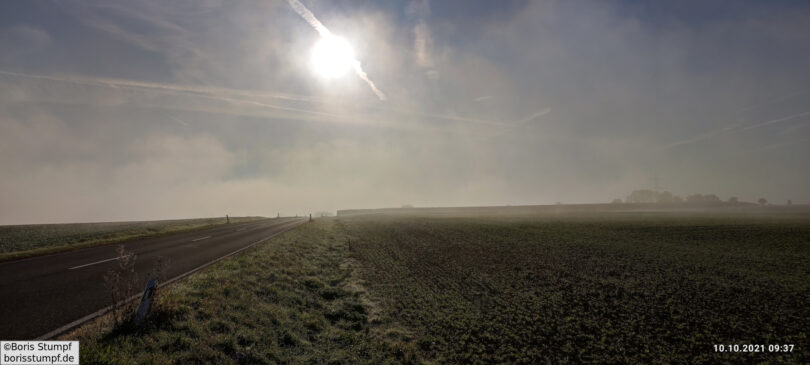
<point>613,288</point>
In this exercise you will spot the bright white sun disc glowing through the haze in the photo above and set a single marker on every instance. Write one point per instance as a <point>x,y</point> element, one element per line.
<point>332,57</point>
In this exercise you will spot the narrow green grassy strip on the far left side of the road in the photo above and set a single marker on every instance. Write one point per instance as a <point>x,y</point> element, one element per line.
<point>21,241</point>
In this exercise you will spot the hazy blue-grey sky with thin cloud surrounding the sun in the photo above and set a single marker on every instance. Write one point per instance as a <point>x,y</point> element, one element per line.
<point>138,110</point>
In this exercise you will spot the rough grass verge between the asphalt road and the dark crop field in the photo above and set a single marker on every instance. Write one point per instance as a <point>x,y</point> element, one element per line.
<point>291,299</point>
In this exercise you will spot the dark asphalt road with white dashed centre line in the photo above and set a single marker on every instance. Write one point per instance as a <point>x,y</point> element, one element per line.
<point>41,294</point>
